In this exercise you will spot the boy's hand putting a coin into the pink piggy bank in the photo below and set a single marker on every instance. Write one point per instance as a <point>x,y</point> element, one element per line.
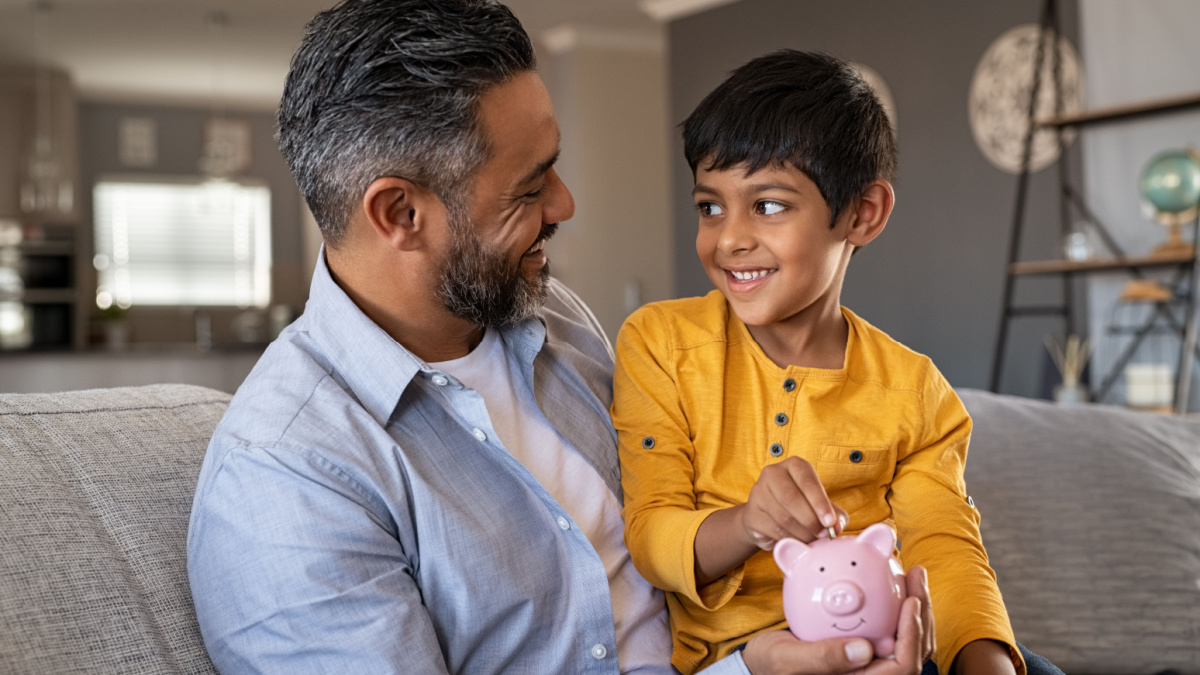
<point>789,501</point>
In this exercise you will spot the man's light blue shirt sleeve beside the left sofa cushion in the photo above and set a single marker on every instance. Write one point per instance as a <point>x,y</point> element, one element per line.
<point>296,569</point>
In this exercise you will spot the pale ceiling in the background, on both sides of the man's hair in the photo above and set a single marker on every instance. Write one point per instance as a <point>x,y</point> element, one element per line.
<point>236,52</point>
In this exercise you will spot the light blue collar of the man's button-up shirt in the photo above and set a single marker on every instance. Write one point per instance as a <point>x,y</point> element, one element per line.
<point>375,367</point>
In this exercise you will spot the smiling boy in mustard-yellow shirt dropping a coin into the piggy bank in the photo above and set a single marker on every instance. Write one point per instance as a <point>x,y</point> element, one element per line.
<point>746,415</point>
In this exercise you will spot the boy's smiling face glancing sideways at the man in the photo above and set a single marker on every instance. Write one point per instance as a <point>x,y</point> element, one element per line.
<point>766,243</point>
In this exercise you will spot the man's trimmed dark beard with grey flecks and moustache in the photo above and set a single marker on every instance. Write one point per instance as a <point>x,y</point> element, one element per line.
<point>481,285</point>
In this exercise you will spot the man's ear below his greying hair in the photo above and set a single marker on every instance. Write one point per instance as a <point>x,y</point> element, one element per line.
<point>401,213</point>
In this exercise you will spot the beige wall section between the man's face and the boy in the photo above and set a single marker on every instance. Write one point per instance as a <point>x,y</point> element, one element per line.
<point>610,100</point>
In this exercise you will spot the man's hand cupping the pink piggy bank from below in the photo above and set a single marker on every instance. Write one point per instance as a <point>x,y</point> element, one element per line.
<point>781,653</point>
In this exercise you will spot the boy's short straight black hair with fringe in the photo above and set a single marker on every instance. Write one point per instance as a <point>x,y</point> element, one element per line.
<point>801,109</point>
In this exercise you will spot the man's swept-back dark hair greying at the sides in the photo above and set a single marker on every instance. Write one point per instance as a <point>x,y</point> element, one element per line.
<point>389,88</point>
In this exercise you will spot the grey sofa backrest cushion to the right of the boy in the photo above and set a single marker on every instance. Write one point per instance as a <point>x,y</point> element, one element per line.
<point>1091,518</point>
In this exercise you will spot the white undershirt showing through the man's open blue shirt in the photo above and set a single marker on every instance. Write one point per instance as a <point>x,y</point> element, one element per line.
<point>644,640</point>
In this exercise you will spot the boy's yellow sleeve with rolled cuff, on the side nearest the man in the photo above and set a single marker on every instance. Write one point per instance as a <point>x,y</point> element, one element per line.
<point>657,467</point>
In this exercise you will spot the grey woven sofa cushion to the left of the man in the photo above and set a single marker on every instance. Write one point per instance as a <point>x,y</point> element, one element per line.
<point>95,494</point>
